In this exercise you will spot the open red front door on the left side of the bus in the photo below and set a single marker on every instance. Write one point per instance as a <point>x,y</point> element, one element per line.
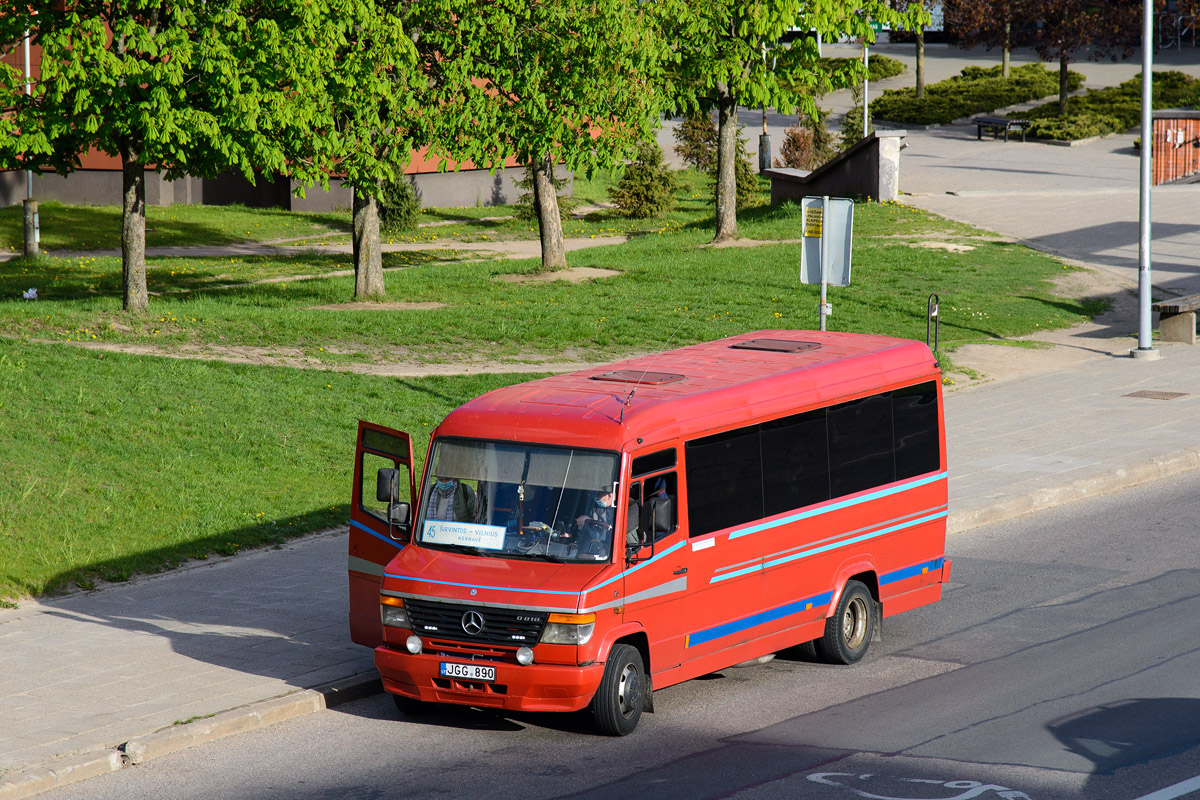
<point>381,521</point>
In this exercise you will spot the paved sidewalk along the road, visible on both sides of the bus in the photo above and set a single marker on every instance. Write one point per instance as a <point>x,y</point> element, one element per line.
<point>87,681</point>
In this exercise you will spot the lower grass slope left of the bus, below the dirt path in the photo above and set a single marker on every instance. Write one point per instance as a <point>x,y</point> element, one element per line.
<point>118,464</point>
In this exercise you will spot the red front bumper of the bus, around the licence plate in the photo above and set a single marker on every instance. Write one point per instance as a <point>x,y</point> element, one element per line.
<point>537,688</point>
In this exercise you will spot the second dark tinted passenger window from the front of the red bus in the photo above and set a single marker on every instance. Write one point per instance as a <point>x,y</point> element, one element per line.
<point>795,462</point>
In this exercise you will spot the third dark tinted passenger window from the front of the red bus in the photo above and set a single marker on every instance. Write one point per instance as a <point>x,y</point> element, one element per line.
<point>861,446</point>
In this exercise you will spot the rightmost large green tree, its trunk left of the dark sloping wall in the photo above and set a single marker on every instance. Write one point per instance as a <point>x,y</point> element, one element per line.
<point>722,46</point>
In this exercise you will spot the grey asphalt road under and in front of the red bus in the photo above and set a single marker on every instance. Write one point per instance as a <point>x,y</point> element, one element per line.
<point>1063,664</point>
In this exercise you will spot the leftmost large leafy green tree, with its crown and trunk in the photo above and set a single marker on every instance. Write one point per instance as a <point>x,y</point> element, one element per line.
<point>187,88</point>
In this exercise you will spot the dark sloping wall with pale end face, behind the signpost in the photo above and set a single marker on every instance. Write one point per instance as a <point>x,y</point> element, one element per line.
<point>872,169</point>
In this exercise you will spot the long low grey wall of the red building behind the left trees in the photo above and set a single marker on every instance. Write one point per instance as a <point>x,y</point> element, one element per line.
<point>104,188</point>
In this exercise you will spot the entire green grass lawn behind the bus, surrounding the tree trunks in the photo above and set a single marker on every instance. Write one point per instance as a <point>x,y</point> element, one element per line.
<point>122,464</point>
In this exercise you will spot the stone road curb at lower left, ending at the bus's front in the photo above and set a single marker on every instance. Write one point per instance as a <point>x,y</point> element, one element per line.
<point>139,750</point>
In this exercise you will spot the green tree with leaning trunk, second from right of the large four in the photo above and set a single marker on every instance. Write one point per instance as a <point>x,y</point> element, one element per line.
<point>572,82</point>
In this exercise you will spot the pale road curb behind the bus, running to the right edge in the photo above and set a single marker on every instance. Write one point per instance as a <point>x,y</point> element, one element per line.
<point>1153,470</point>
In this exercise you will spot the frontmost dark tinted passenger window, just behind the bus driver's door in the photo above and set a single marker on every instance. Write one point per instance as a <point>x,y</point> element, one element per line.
<point>724,480</point>
